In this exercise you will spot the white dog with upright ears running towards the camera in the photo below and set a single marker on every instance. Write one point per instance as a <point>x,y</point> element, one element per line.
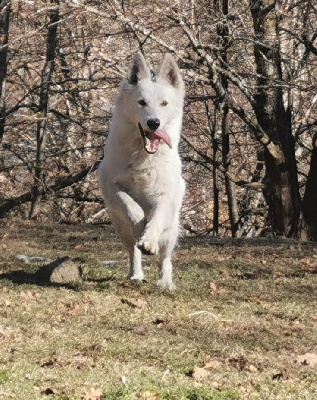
<point>140,175</point>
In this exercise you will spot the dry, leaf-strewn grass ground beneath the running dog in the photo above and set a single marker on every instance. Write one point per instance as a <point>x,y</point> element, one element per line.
<point>241,315</point>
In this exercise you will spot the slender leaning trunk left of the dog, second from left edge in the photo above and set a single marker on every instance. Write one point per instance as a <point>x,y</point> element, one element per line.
<point>39,173</point>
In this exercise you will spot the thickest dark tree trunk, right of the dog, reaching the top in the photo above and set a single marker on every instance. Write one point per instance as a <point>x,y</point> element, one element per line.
<point>282,192</point>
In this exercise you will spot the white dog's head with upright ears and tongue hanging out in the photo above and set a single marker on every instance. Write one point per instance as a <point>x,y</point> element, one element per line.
<point>154,101</point>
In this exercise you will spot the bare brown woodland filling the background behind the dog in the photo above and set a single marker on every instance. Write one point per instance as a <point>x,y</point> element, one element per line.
<point>249,140</point>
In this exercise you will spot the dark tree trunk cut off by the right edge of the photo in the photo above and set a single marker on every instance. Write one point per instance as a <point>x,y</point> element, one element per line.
<point>309,226</point>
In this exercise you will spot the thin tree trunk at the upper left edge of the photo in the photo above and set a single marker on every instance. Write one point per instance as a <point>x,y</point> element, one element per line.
<point>5,9</point>
